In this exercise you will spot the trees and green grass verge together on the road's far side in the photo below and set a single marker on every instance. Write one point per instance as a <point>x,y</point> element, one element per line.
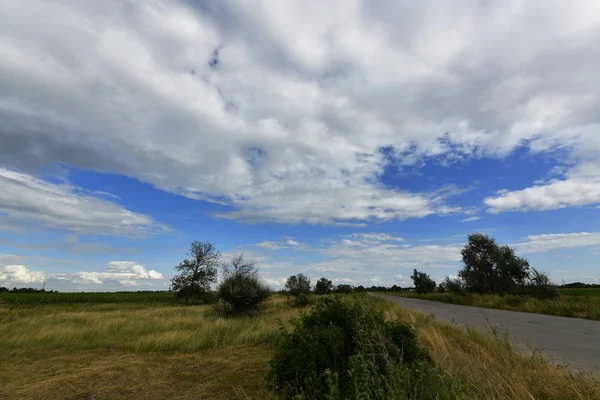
<point>493,276</point>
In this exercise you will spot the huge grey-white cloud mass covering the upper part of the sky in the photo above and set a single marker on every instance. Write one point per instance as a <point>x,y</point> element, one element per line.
<point>286,109</point>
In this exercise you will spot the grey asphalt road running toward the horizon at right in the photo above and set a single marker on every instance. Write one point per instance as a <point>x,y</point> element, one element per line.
<point>566,341</point>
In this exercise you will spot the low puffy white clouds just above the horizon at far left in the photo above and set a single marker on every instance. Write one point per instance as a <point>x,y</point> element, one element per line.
<point>125,273</point>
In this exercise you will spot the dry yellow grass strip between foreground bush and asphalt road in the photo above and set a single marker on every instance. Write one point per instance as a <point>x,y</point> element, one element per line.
<point>491,368</point>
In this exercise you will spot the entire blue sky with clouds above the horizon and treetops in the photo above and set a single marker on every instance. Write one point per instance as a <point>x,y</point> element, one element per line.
<point>353,140</point>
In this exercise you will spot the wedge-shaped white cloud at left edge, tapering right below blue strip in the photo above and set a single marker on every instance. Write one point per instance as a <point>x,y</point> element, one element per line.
<point>25,199</point>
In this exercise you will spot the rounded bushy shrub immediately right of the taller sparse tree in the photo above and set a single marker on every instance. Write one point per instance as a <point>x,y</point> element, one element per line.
<point>241,290</point>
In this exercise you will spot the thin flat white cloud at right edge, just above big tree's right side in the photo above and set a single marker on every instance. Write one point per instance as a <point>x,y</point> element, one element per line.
<point>556,241</point>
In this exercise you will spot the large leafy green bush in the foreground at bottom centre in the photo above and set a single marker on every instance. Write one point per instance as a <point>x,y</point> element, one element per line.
<point>344,350</point>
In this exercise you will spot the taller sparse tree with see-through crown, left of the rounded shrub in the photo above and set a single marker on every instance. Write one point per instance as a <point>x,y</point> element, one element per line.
<point>196,274</point>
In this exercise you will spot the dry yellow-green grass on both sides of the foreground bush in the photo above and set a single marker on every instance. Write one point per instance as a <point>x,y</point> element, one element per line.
<point>157,350</point>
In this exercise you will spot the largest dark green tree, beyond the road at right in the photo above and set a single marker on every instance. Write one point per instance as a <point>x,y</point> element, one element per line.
<point>490,268</point>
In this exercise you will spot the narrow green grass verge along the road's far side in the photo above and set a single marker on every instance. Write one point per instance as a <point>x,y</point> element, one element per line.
<point>567,304</point>
